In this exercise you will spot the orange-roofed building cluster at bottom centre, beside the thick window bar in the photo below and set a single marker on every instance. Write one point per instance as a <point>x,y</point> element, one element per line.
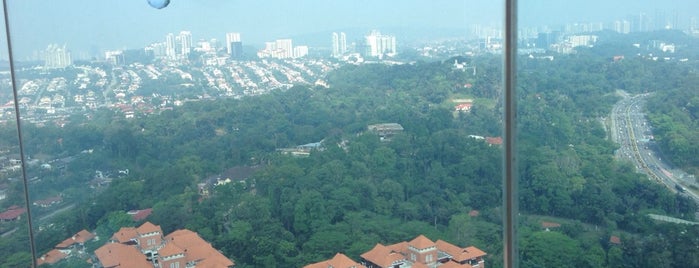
<point>421,252</point>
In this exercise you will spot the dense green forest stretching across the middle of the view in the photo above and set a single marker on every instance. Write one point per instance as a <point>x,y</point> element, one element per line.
<point>361,190</point>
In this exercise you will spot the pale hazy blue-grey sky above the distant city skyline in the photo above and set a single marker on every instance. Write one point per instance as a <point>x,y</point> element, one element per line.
<point>116,24</point>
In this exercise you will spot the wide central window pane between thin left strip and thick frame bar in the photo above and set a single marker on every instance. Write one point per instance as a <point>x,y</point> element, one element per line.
<point>280,133</point>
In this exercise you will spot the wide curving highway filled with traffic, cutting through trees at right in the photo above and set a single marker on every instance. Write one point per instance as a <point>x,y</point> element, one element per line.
<point>630,129</point>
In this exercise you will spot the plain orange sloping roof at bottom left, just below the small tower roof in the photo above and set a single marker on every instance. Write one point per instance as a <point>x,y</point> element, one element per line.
<point>120,255</point>
